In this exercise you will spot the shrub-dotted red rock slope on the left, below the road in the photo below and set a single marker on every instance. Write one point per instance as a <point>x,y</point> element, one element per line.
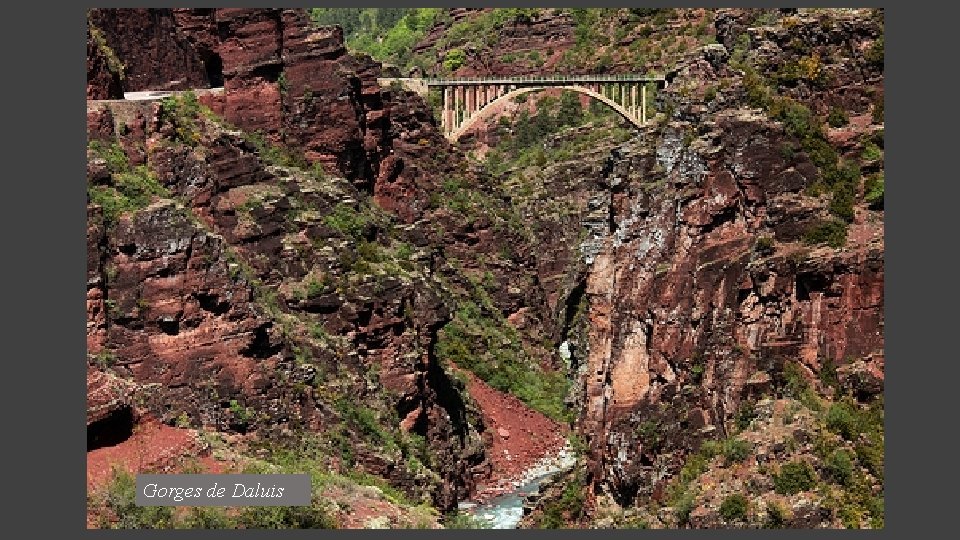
<point>205,302</point>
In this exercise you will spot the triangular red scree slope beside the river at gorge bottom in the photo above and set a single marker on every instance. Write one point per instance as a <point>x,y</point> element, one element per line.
<point>517,436</point>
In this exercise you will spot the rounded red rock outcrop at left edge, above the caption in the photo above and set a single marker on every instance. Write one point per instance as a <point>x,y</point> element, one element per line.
<point>174,314</point>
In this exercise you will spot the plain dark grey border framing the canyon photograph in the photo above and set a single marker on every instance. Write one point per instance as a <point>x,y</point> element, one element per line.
<point>50,255</point>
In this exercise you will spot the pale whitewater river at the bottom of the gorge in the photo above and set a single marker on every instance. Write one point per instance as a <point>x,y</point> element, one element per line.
<point>505,511</point>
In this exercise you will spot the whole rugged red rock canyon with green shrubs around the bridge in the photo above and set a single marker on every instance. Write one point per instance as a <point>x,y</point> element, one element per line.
<point>302,265</point>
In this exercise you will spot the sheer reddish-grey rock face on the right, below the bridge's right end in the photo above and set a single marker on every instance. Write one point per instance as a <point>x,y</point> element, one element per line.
<point>714,312</point>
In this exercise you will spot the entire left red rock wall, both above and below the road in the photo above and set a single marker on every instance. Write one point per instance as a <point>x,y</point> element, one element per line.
<point>176,300</point>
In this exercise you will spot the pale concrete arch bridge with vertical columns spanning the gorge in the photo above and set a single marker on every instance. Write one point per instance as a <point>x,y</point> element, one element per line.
<point>466,101</point>
